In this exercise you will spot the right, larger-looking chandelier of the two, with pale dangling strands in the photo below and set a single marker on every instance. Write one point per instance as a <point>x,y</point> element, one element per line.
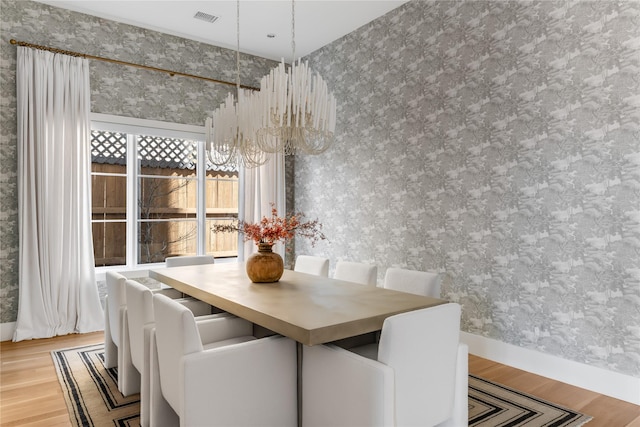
<point>298,111</point>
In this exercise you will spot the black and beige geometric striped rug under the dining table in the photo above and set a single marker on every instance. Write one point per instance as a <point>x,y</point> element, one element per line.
<point>93,398</point>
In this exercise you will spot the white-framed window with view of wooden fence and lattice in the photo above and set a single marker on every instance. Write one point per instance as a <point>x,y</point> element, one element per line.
<point>155,195</point>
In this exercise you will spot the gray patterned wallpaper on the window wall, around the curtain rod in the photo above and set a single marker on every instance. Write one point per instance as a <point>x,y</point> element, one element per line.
<point>115,89</point>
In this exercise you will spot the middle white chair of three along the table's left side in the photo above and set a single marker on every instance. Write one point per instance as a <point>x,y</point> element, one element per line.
<point>141,324</point>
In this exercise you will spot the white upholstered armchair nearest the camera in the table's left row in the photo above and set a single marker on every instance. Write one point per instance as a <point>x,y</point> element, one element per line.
<point>214,373</point>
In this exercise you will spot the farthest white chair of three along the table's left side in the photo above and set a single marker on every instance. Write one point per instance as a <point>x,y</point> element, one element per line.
<point>116,334</point>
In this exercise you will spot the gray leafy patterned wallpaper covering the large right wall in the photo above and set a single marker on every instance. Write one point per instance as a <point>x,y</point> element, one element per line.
<point>497,142</point>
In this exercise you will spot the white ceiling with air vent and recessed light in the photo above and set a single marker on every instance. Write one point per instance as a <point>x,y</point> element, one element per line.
<point>317,22</point>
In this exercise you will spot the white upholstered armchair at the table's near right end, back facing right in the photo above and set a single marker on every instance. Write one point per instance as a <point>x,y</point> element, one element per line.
<point>417,378</point>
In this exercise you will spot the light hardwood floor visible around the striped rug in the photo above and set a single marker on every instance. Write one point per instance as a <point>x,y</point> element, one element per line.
<point>30,394</point>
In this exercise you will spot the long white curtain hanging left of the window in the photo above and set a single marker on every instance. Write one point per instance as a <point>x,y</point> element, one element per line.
<point>57,287</point>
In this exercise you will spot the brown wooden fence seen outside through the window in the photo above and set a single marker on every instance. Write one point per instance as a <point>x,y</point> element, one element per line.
<point>167,213</point>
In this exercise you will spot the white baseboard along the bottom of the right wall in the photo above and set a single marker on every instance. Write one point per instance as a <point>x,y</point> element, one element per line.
<point>602,381</point>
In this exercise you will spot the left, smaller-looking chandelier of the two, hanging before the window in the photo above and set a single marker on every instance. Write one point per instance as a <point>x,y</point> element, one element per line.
<point>231,131</point>
